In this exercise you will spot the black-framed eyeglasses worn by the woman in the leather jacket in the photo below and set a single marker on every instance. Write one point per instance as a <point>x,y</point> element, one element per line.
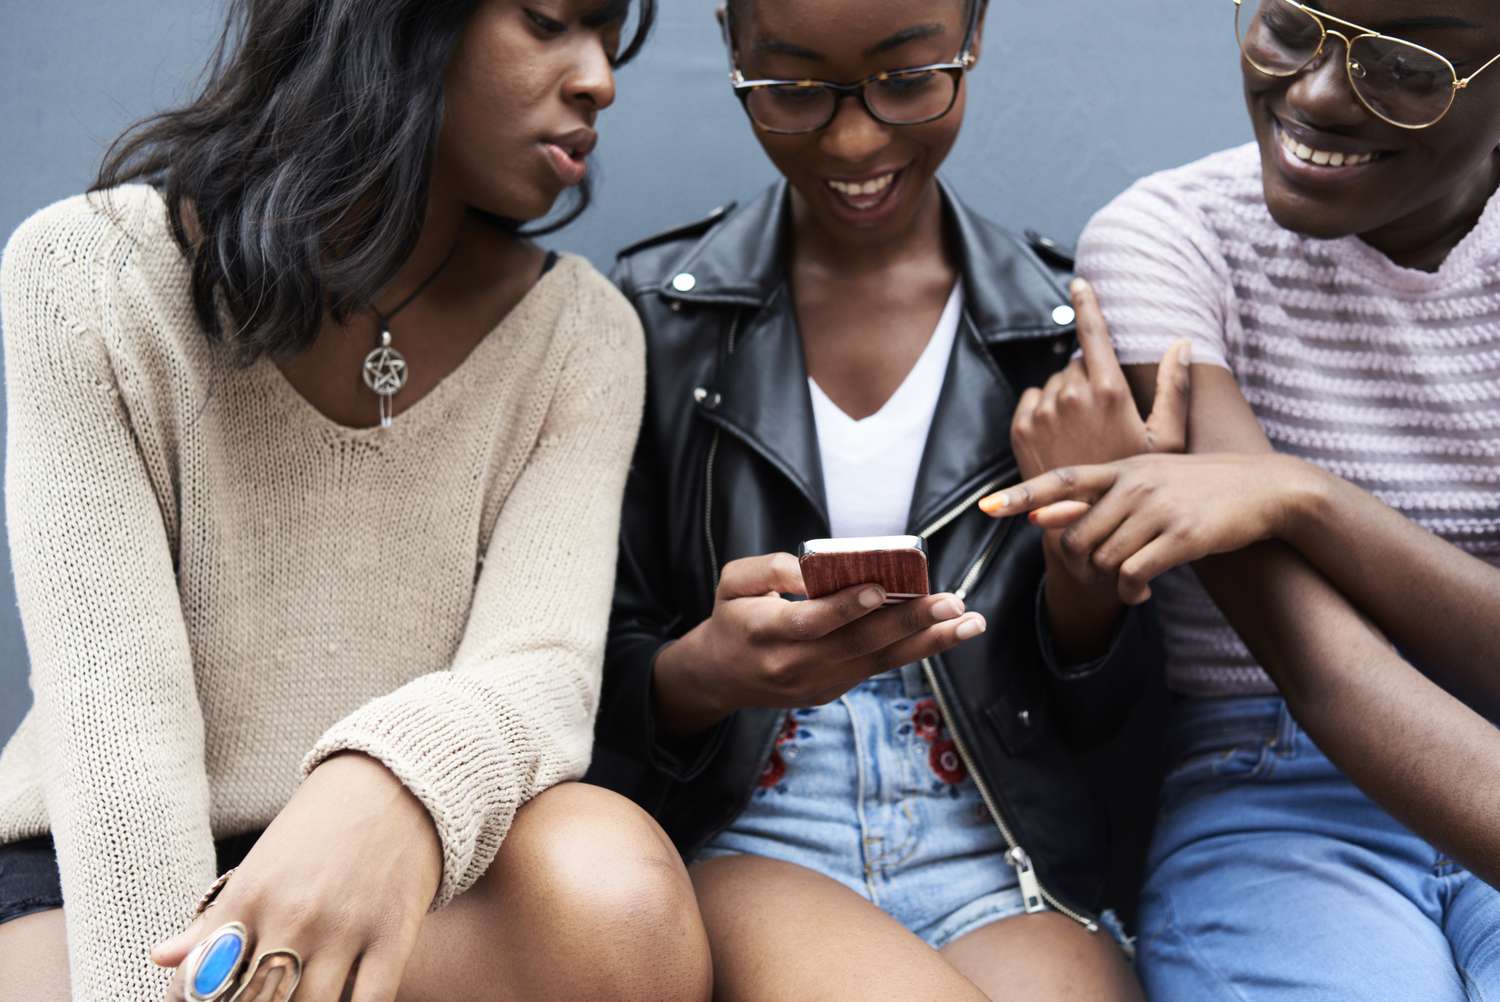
<point>898,98</point>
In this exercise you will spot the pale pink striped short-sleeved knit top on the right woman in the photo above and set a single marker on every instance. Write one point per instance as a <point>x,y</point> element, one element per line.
<point>1388,377</point>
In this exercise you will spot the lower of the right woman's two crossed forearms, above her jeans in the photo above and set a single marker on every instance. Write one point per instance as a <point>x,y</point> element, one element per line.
<point>1423,755</point>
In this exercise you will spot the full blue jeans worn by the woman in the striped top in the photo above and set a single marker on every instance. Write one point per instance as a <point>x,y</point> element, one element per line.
<point>1273,878</point>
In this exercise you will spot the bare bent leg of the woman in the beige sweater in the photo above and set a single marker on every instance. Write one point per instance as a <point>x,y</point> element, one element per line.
<point>587,899</point>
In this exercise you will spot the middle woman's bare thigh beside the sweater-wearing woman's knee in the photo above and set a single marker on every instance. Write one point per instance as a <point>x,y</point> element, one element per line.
<point>779,932</point>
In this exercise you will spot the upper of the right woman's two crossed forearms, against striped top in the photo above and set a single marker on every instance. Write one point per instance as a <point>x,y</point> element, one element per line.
<point>1405,578</point>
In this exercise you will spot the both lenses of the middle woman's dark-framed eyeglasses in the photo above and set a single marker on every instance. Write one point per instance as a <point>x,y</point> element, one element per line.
<point>907,98</point>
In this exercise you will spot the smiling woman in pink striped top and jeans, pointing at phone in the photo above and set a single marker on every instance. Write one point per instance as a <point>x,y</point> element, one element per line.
<point>1340,283</point>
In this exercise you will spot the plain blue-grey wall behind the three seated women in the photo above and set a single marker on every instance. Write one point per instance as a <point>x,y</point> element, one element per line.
<point>1072,101</point>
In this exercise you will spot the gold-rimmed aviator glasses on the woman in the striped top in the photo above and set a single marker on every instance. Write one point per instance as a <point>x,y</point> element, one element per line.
<point>1399,82</point>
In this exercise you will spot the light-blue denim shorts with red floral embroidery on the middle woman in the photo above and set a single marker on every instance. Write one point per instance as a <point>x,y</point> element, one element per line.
<point>872,793</point>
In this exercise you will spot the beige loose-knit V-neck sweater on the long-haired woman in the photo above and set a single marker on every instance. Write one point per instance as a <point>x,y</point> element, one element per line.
<point>221,587</point>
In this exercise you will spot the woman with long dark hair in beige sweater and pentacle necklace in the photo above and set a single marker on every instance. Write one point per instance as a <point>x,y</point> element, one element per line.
<point>314,464</point>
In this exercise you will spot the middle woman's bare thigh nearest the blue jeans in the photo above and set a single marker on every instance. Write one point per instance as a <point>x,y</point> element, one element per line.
<point>1045,956</point>
